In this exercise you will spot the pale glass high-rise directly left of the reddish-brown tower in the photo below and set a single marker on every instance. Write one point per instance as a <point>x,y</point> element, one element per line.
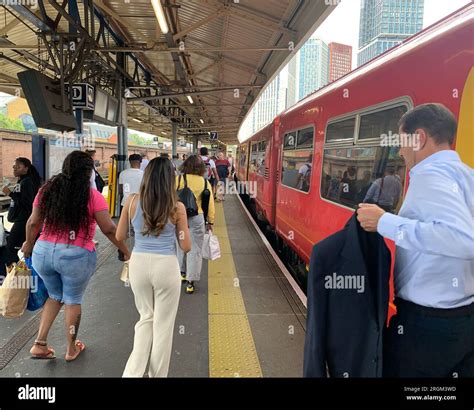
<point>313,67</point>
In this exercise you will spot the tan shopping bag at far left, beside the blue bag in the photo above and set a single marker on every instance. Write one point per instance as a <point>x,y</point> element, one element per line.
<point>15,290</point>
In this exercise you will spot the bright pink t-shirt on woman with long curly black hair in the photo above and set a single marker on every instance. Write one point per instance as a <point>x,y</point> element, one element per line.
<point>96,203</point>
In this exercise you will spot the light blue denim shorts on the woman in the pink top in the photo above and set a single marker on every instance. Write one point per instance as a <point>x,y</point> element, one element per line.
<point>65,270</point>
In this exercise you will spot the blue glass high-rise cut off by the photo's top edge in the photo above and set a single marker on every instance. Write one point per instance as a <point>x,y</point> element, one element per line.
<point>386,23</point>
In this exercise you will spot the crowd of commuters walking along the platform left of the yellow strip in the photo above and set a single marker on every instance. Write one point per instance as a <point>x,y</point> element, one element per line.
<point>55,225</point>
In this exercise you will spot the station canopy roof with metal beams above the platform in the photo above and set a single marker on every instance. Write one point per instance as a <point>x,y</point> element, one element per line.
<point>204,73</point>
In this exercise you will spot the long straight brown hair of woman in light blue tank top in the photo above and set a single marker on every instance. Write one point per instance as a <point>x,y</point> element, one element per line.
<point>158,197</point>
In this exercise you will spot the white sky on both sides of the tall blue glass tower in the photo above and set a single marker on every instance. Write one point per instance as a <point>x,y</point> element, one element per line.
<point>342,25</point>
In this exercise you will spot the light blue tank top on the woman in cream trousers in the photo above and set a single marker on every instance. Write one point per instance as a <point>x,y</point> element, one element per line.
<point>163,244</point>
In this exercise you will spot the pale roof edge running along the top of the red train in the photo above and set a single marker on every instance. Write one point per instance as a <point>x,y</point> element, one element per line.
<point>455,19</point>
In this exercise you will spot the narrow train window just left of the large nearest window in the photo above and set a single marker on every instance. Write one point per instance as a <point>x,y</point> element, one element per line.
<point>298,160</point>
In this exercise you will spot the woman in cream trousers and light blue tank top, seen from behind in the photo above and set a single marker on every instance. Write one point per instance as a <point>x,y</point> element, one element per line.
<point>159,221</point>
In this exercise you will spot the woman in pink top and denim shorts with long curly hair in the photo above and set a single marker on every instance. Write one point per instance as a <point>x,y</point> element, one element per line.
<point>64,256</point>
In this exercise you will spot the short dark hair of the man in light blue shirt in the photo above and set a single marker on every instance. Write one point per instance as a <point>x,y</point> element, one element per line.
<point>435,119</point>
